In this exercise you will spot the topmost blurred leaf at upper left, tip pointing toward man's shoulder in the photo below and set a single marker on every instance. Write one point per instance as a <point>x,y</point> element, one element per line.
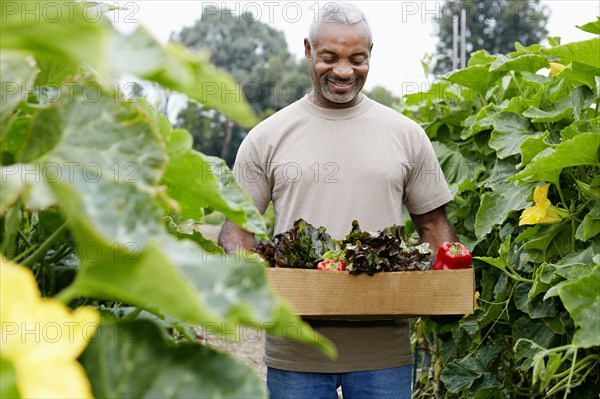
<point>72,39</point>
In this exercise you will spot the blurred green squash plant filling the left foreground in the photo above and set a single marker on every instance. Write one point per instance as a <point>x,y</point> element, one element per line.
<point>100,199</point>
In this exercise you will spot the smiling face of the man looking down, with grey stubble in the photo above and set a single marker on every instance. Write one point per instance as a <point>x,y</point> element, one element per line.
<point>339,60</point>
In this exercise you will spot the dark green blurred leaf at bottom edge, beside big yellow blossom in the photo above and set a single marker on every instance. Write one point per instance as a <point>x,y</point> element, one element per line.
<point>135,360</point>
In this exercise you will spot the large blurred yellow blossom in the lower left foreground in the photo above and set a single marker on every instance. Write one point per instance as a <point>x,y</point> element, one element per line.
<point>42,338</point>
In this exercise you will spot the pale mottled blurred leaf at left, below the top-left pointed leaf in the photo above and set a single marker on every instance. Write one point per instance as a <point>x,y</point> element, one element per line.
<point>101,139</point>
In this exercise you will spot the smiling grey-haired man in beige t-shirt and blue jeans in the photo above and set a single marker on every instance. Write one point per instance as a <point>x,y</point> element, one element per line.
<point>329,158</point>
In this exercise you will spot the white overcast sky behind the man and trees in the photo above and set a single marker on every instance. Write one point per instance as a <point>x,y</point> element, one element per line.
<point>403,31</point>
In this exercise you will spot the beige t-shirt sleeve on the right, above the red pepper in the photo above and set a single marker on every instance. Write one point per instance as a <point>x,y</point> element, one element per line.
<point>426,188</point>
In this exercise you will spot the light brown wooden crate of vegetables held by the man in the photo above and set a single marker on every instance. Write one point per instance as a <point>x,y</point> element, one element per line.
<point>394,294</point>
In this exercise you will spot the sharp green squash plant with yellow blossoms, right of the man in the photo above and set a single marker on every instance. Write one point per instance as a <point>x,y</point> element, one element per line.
<point>518,137</point>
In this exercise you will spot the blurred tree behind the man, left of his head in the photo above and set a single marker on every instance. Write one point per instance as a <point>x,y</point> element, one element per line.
<point>257,56</point>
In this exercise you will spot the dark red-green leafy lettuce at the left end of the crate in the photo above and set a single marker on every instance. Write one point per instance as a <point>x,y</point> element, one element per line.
<point>302,246</point>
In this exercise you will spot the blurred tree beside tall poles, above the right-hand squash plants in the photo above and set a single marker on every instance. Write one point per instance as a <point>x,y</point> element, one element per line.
<point>493,25</point>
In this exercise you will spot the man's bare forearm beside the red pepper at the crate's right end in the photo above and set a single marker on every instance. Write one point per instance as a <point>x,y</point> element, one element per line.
<point>433,227</point>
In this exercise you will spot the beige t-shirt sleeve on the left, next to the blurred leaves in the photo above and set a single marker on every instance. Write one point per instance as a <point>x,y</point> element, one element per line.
<point>249,172</point>
